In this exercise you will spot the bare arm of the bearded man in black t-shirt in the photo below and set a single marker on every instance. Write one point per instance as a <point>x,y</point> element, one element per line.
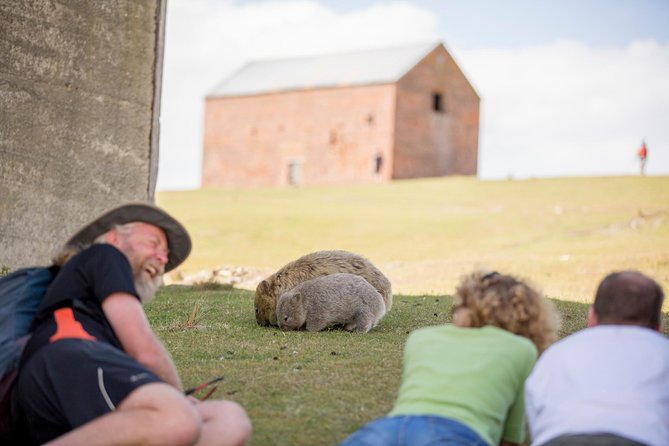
<point>126,316</point>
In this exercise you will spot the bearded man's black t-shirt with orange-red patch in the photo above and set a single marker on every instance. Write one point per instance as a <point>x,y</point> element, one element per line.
<point>82,284</point>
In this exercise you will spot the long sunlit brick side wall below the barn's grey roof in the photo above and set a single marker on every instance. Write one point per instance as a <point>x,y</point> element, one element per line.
<point>333,134</point>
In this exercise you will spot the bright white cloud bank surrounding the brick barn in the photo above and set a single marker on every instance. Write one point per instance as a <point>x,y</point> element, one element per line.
<point>560,109</point>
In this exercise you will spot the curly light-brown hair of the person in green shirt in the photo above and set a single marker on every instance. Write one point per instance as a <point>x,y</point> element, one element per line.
<point>508,303</point>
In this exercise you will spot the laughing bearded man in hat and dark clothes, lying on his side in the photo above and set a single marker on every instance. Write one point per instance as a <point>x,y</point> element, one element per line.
<point>93,372</point>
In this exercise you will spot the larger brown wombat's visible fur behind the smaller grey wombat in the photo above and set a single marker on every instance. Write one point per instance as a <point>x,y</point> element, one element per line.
<point>310,266</point>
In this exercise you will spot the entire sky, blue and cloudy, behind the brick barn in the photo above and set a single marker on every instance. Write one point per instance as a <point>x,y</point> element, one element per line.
<point>567,87</point>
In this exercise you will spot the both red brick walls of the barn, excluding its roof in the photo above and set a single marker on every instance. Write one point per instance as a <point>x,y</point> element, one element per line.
<point>333,135</point>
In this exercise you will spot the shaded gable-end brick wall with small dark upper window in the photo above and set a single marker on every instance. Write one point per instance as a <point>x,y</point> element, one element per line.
<point>430,143</point>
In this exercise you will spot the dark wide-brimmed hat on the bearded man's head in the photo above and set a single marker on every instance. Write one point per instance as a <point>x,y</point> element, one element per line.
<point>178,240</point>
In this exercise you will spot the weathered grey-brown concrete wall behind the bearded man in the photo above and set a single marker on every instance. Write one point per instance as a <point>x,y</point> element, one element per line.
<point>79,90</point>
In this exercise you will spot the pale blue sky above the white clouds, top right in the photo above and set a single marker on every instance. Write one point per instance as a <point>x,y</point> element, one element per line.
<point>519,23</point>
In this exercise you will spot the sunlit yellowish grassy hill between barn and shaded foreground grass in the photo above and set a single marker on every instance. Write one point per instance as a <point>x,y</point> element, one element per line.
<point>562,234</point>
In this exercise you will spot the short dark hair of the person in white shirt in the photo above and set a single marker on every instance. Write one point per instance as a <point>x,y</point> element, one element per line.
<point>629,298</point>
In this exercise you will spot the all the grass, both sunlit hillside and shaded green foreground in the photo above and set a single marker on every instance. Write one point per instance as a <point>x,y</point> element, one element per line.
<point>314,388</point>
